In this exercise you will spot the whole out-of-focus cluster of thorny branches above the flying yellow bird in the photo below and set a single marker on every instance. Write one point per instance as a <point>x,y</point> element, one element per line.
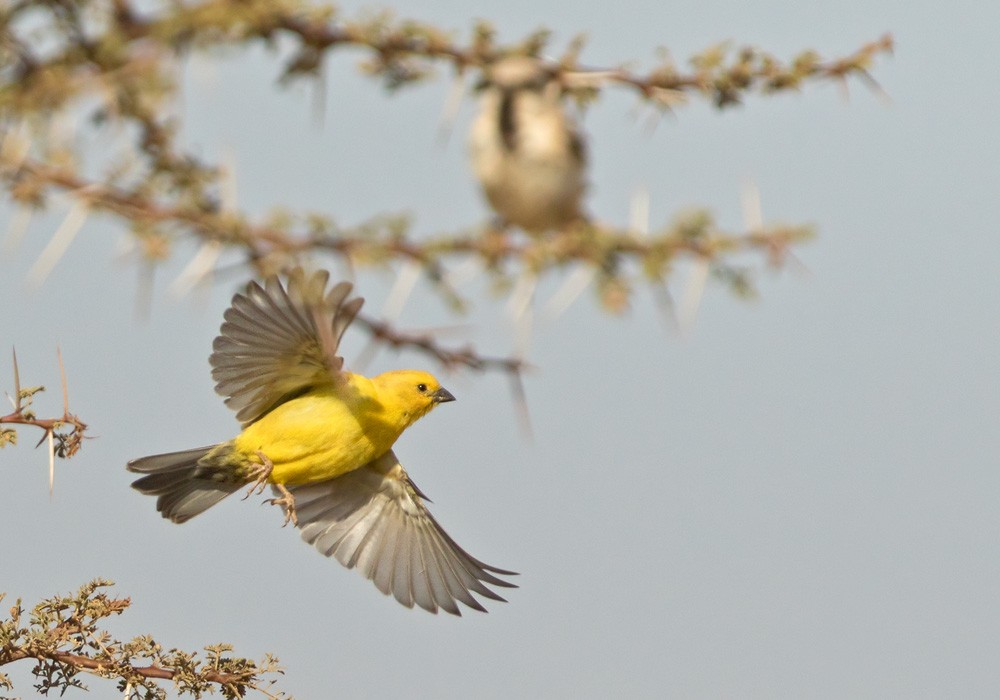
<point>119,65</point>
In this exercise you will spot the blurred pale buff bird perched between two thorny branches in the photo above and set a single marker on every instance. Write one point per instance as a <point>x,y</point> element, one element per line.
<point>527,154</point>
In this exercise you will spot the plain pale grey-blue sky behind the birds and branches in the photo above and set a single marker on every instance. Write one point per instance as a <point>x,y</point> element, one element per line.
<point>800,498</point>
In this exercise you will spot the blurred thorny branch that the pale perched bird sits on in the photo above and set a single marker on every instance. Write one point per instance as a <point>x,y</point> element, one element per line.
<point>281,242</point>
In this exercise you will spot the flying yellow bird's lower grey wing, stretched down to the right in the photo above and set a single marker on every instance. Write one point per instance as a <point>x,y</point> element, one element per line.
<point>374,519</point>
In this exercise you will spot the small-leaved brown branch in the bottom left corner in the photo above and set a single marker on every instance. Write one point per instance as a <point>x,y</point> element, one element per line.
<point>63,636</point>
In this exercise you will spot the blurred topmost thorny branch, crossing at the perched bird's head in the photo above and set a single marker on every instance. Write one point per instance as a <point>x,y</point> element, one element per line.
<point>404,51</point>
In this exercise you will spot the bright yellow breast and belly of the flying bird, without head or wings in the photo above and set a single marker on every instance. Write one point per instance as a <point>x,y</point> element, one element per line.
<point>322,434</point>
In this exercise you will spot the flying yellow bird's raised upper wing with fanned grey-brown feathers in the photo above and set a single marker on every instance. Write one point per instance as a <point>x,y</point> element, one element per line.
<point>277,343</point>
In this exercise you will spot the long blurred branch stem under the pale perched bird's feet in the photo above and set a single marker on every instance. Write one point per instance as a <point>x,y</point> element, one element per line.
<point>389,238</point>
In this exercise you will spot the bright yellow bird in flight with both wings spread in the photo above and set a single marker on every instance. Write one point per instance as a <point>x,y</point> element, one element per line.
<point>322,437</point>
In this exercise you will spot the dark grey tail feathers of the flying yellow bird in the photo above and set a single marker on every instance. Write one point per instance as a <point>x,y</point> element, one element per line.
<point>184,487</point>
